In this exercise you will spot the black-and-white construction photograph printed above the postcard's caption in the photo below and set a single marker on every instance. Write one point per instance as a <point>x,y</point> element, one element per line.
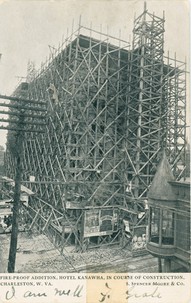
<point>94,137</point>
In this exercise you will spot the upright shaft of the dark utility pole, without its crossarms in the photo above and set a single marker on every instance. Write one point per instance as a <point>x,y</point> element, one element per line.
<point>17,192</point>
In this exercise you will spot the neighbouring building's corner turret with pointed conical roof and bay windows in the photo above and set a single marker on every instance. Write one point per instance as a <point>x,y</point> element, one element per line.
<point>169,220</point>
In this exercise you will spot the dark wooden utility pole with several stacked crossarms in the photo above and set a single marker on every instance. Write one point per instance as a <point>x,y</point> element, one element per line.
<point>23,110</point>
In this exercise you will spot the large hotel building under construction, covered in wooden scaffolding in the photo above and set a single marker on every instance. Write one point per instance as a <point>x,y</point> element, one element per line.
<point>112,108</point>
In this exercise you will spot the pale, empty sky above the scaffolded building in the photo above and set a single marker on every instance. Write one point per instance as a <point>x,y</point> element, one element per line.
<point>28,28</point>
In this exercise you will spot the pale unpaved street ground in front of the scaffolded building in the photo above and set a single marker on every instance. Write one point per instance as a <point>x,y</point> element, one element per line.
<point>35,253</point>
